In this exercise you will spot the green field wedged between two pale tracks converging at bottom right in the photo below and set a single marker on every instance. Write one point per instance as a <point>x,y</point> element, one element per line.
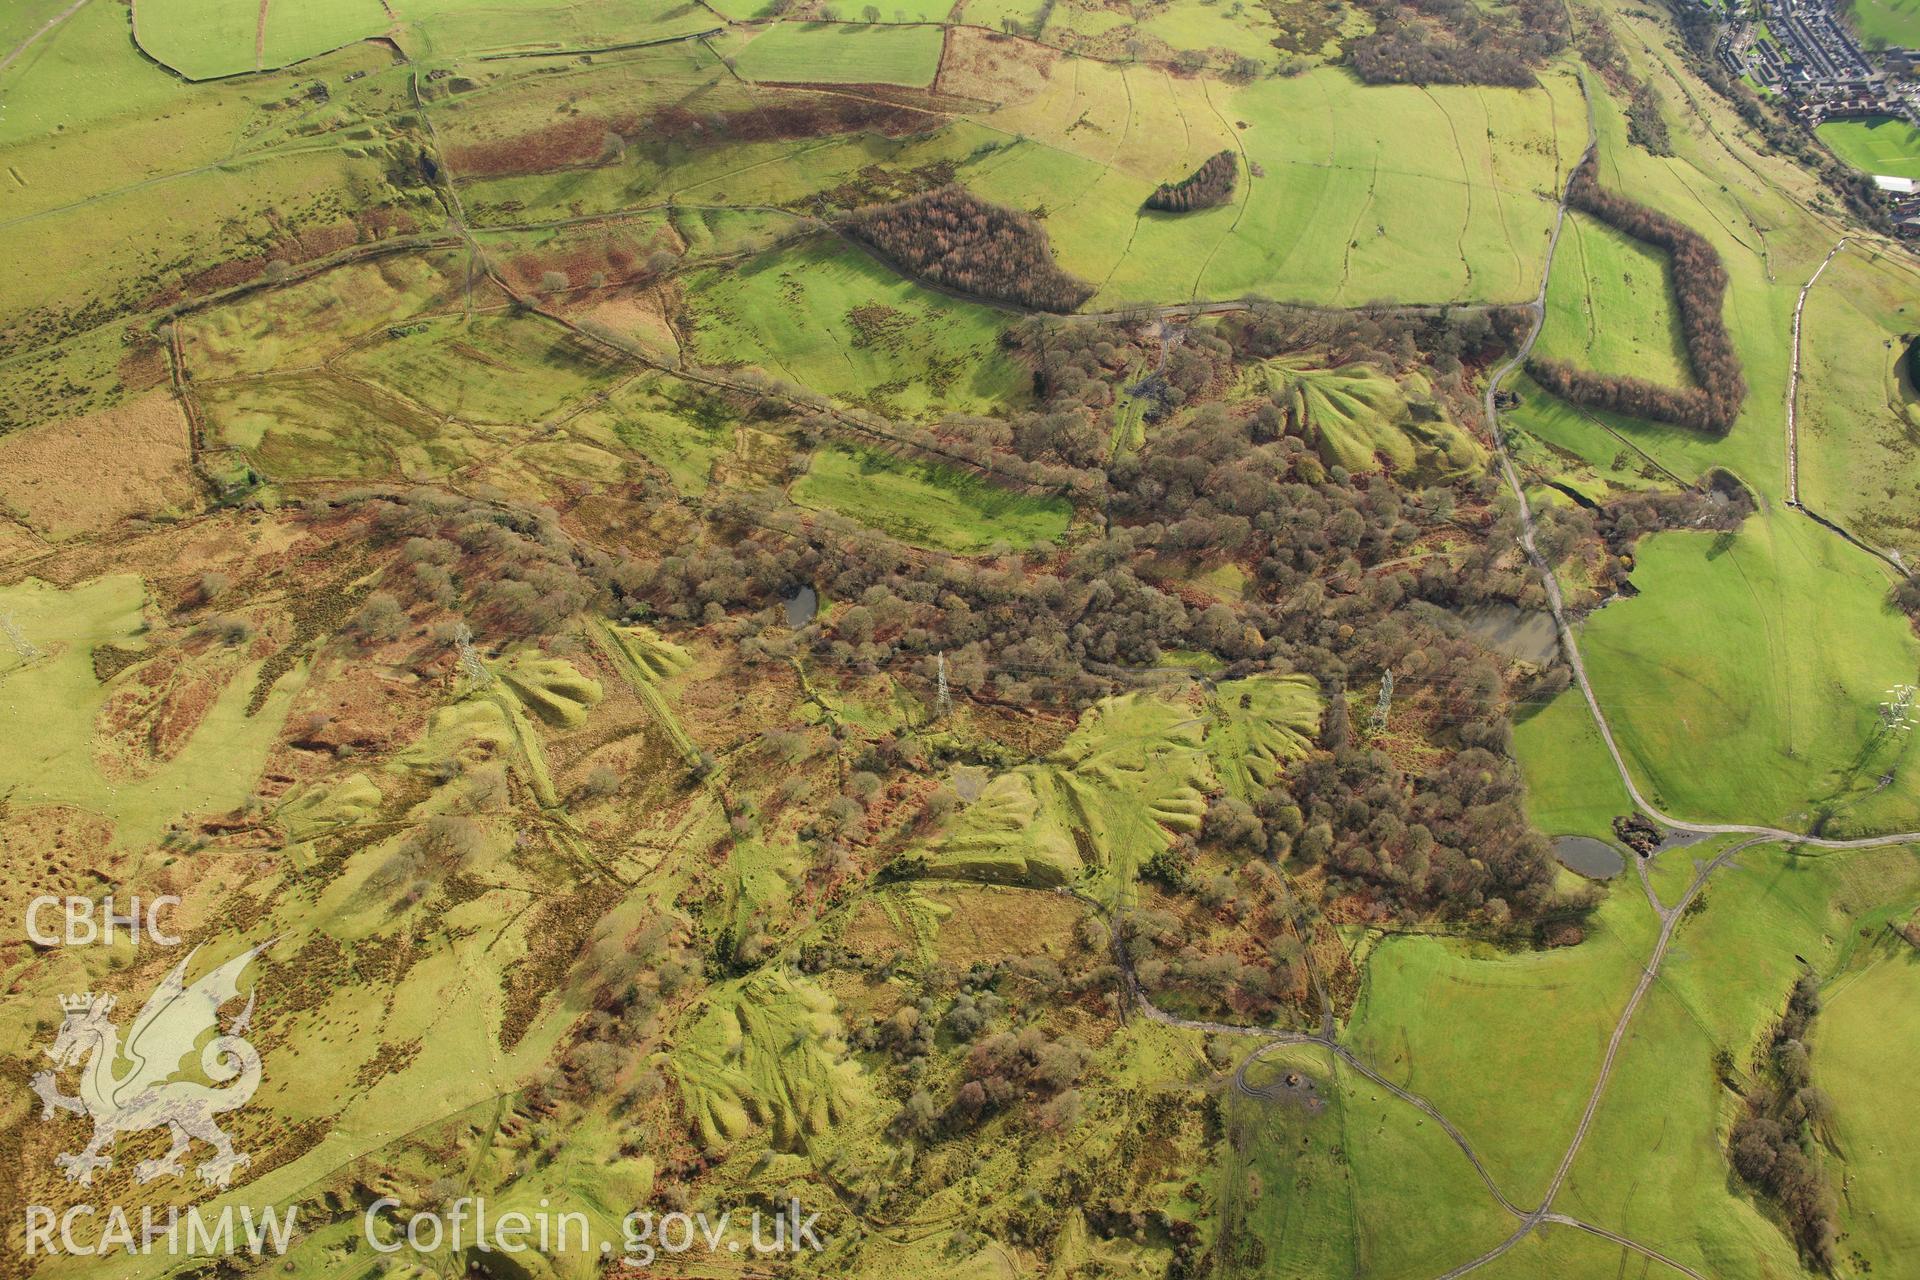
<point>1437,1014</point>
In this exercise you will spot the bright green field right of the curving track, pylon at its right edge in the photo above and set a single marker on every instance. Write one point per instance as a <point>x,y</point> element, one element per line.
<point>1729,694</point>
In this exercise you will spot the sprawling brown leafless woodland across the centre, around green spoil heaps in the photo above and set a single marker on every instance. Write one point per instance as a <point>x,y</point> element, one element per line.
<point>1337,590</point>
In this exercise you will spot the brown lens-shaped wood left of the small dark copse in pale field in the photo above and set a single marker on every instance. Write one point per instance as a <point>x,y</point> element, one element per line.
<point>963,243</point>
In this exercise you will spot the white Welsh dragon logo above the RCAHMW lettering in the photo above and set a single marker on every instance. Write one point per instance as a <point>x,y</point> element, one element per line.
<point>132,1087</point>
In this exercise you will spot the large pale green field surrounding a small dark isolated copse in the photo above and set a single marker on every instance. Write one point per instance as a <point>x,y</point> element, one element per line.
<point>1368,193</point>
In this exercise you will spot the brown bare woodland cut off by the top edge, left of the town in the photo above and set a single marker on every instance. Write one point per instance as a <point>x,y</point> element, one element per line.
<point>1458,43</point>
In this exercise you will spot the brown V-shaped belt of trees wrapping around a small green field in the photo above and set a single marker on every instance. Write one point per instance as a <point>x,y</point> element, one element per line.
<point>1700,291</point>
